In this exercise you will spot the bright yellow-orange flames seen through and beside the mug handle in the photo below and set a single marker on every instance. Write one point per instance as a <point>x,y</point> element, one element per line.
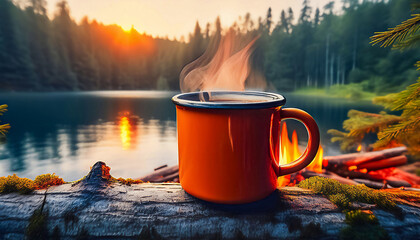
<point>290,151</point>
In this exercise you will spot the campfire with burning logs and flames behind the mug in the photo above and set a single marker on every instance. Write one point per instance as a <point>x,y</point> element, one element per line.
<point>377,169</point>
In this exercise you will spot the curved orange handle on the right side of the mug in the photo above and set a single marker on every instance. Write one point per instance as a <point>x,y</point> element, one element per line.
<point>313,142</point>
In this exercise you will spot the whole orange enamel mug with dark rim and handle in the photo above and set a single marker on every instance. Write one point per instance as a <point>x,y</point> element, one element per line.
<point>229,142</point>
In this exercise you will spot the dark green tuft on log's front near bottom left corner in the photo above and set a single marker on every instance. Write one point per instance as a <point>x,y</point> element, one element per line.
<point>37,227</point>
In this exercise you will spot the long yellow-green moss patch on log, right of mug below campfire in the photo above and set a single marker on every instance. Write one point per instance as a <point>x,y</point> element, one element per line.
<point>358,193</point>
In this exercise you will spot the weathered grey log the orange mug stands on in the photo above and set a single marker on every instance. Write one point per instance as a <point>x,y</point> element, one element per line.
<point>104,210</point>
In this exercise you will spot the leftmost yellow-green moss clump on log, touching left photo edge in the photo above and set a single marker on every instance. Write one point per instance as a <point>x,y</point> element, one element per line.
<point>16,184</point>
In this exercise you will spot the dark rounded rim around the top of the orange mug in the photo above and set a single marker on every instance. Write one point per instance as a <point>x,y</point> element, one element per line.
<point>191,99</point>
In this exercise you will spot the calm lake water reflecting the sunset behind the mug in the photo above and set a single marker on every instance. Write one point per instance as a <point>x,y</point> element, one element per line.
<point>132,131</point>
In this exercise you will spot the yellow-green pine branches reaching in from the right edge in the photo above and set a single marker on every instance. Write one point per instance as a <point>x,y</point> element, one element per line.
<point>390,129</point>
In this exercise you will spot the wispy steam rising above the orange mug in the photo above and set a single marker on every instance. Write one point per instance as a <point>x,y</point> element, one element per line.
<point>223,67</point>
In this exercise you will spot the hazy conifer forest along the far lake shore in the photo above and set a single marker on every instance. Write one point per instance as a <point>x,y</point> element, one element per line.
<point>315,48</point>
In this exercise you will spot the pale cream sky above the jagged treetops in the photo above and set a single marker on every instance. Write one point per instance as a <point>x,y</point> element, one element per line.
<point>175,18</point>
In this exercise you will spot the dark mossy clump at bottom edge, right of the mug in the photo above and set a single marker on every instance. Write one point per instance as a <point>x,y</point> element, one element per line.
<point>362,225</point>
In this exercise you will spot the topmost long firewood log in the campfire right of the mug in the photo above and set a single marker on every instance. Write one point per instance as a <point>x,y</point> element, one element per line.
<point>332,162</point>
